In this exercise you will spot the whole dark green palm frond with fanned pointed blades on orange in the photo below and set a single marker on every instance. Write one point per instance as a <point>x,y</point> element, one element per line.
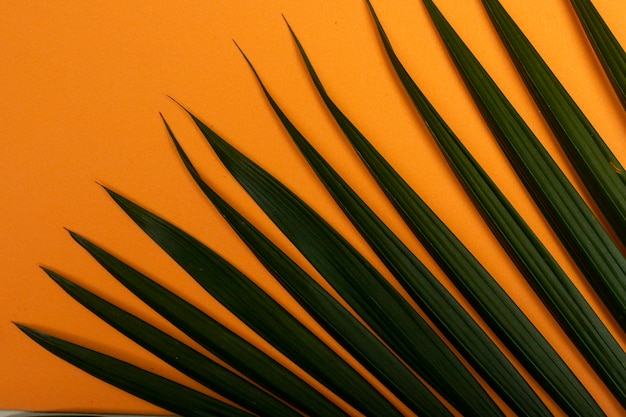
<point>432,354</point>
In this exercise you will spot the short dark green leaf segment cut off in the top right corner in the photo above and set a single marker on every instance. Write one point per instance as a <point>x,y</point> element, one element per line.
<point>609,51</point>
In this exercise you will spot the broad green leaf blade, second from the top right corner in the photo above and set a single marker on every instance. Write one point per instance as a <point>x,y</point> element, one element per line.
<point>597,167</point>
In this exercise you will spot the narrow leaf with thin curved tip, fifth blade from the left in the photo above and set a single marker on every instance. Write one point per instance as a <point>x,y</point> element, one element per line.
<point>344,327</point>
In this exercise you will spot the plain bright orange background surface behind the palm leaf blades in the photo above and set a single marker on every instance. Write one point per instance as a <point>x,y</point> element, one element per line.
<point>82,84</point>
